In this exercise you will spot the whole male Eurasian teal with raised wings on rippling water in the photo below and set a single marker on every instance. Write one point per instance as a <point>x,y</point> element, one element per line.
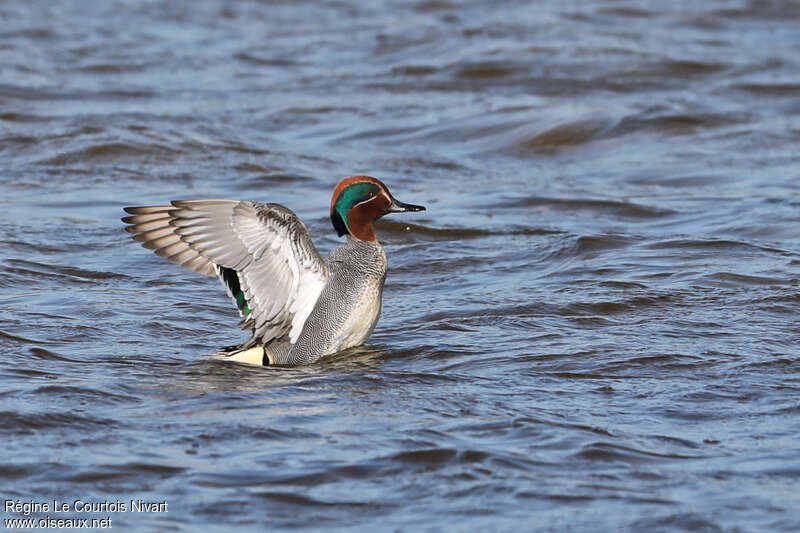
<point>299,307</point>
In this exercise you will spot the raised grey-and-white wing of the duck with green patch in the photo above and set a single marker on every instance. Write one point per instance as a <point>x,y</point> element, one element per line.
<point>261,252</point>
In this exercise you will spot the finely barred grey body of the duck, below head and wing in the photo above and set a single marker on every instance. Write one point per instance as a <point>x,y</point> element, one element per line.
<point>348,307</point>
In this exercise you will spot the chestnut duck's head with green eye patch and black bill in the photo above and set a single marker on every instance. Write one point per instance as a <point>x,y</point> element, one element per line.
<point>358,201</point>
